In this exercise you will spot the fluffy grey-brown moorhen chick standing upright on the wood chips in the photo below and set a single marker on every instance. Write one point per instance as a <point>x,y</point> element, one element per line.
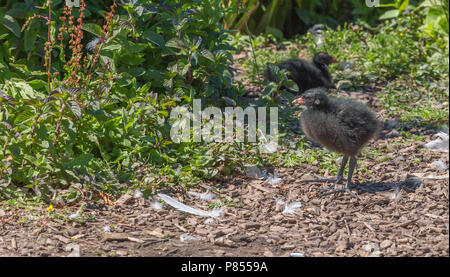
<point>341,125</point>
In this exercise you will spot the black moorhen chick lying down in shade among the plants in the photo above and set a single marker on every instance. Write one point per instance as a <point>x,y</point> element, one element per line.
<point>305,74</point>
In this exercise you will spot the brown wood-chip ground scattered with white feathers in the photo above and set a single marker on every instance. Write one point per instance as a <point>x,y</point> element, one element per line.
<point>412,220</point>
